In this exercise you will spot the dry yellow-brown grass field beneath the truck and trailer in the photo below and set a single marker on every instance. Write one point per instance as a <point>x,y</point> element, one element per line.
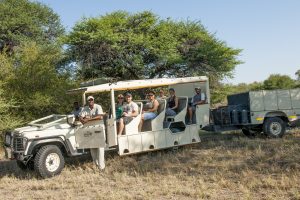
<point>221,167</point>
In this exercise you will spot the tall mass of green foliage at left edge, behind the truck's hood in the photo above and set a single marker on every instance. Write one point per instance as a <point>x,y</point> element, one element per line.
<point>30,60</point>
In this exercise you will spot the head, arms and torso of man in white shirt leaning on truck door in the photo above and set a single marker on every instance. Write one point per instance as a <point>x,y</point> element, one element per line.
<point>91,112</point>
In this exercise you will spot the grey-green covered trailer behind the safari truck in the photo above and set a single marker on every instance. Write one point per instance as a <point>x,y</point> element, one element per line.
<point>266,111</point>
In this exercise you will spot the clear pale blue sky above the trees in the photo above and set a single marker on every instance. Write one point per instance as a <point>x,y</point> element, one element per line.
<point>268,31</point>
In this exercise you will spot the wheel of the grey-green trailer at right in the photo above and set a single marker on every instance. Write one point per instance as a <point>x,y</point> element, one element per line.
<point>274,127</point>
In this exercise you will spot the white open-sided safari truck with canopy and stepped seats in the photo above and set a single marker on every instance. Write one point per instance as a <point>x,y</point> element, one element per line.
<point>44,143</point>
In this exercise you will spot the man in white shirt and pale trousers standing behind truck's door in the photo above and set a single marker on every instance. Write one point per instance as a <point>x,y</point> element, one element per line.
<point>94,112</point>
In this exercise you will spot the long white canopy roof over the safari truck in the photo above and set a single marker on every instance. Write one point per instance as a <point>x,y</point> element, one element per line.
<point>90,87</point>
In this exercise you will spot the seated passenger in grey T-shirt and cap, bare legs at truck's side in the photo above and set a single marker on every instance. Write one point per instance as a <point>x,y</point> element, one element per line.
<point>130,111</point>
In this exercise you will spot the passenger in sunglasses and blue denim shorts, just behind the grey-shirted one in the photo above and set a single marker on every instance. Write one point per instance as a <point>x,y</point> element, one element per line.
<point>150,109</point>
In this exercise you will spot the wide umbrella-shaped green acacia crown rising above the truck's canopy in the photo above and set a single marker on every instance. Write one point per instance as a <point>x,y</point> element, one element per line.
<point>137,46</point>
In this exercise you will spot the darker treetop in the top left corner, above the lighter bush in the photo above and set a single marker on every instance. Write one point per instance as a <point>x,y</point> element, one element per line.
<point>22,20</point>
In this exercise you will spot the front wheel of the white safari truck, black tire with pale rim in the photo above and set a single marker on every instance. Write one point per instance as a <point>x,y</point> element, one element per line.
<point>49,161</point>
